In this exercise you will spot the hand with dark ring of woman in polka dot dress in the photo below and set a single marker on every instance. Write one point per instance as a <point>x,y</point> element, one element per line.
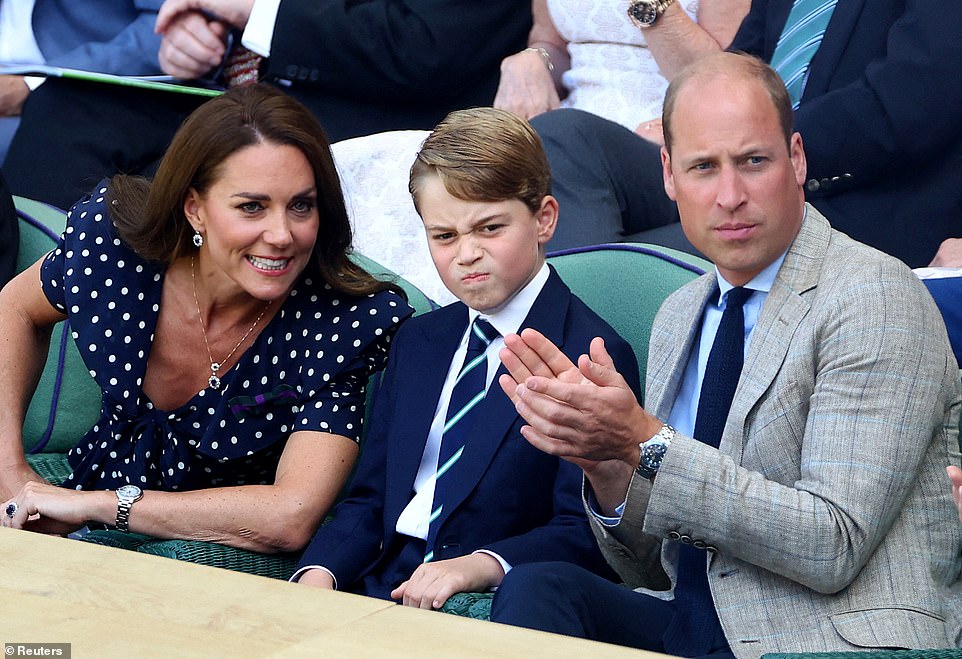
<point>50,509</point>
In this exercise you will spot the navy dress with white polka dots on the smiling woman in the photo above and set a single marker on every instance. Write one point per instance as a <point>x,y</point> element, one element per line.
<point>307,370</point>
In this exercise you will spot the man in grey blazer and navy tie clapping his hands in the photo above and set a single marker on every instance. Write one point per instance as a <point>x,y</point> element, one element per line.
<point>822,514</point>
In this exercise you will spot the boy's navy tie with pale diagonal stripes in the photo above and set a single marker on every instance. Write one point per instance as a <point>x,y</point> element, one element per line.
<point>469,390</point>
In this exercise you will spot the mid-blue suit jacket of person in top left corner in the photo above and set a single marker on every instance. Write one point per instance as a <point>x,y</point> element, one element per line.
<point>109,36</point>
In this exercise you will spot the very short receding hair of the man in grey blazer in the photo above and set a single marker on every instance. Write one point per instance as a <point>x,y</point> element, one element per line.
<point>739,65</point>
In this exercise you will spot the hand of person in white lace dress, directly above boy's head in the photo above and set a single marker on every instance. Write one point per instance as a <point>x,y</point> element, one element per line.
<point>526,88</point>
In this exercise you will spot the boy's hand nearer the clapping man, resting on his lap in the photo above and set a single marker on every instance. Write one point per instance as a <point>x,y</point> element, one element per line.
<point>433,583</point>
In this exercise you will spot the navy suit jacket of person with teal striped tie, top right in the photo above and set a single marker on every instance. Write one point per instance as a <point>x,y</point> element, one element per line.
<point>881,119</point>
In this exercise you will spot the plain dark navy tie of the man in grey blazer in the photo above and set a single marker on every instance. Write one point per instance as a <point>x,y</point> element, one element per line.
<point>695,624</point>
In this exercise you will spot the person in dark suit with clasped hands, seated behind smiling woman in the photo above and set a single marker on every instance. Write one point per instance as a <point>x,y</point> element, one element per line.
<point>360,67</point>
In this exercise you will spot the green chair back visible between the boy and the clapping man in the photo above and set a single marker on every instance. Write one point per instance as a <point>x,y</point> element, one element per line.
<point>625,283</point>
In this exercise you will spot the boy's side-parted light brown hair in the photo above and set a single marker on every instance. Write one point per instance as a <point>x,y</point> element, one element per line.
<point>484,154</point>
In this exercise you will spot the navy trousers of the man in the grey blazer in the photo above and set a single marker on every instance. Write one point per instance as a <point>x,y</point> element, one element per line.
<point>566,599</point>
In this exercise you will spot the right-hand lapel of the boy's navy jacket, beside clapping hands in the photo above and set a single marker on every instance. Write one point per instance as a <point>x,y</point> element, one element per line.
<point>547,315</point>
